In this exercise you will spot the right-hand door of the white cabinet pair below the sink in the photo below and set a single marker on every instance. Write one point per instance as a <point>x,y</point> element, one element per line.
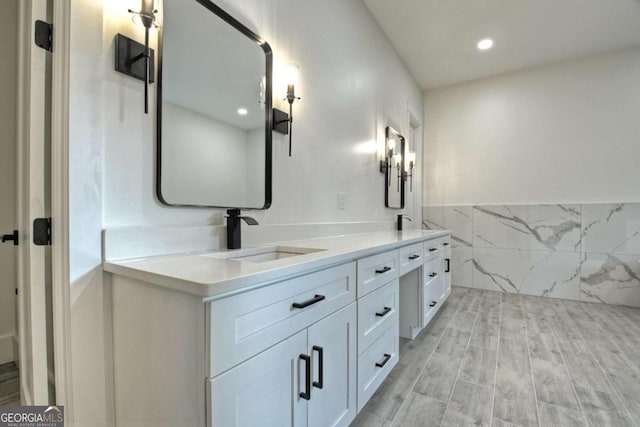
<point>332,344</point>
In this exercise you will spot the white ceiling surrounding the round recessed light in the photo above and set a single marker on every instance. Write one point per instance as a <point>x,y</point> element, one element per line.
<point>437,39</point>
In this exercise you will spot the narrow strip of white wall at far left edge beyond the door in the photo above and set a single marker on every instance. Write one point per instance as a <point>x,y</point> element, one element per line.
<point>8,108</point>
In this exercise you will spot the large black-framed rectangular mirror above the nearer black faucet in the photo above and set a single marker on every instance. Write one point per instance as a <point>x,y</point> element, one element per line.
<point>214,110</point>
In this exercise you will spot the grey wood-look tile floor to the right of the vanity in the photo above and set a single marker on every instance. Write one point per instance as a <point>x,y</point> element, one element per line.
<point>494,359</point>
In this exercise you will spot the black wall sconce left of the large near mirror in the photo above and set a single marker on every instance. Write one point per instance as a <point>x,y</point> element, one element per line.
<point>133,58</point>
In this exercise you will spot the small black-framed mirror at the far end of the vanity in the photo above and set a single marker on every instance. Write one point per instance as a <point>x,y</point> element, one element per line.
<point>394,169</point>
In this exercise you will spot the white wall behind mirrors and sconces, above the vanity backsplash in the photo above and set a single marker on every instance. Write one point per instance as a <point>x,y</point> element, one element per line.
<point>353,85</point>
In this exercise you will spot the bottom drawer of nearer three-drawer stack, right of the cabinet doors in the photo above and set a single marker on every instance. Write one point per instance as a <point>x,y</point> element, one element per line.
<point>375,364</point>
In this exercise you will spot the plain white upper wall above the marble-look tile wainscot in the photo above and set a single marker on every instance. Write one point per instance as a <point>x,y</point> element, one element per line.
<point>563,133</point>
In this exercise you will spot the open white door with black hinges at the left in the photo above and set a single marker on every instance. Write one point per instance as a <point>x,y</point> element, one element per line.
<point>33,266</point>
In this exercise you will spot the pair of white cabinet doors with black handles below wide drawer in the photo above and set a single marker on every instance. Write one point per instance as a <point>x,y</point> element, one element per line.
<point>307,380</point>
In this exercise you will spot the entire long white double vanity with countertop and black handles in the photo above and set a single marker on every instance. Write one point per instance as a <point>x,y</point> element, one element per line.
<point>298,333</point>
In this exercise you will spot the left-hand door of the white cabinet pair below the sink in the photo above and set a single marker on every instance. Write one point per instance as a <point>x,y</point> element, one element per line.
<point>264,390</point>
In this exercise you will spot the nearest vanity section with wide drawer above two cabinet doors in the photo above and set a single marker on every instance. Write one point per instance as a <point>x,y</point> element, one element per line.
<point>310,377</point>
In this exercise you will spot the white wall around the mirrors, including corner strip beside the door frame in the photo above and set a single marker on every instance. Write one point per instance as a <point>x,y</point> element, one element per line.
<point>353,86</point>
